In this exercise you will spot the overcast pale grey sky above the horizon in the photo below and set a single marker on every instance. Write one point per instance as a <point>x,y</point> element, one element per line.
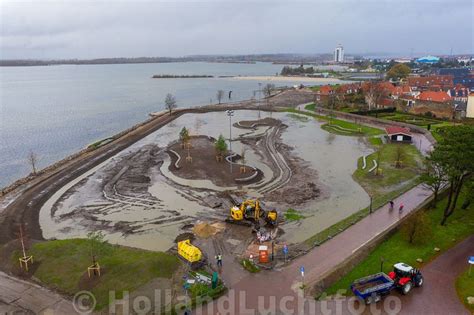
<point>91,29</point>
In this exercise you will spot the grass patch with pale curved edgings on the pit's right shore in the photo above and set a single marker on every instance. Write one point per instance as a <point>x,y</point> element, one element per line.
<point>391,177</point>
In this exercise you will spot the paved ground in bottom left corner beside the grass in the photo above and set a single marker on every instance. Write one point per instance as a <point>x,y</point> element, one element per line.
<point>22,297</point>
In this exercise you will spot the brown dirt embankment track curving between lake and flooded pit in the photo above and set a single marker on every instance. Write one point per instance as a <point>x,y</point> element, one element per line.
<point>22,201</point>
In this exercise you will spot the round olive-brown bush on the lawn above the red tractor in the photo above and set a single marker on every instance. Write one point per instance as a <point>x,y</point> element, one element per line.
<point>417,229</point>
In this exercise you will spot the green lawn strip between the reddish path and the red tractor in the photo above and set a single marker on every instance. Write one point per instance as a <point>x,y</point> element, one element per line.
<point>397,249</point>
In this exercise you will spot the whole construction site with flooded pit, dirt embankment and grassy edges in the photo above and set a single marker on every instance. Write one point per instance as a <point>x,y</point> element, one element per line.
<point>249,187</point>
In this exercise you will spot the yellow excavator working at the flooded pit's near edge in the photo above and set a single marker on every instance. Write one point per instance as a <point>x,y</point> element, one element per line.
<point>250,210</point>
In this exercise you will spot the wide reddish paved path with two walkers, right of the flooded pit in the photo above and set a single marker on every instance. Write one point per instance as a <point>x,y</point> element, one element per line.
<point>284,284</point>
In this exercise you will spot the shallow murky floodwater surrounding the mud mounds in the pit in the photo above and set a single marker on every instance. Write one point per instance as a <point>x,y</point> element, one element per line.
<point>333,157</point>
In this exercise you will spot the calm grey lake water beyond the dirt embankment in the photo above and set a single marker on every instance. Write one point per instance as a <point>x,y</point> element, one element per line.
<point>57,110</point>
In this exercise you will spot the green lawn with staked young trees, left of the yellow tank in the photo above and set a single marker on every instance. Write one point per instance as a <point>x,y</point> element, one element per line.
<point>62,264</point>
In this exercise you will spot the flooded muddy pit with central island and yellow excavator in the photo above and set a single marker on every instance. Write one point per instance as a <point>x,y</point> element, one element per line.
<point>163,189</point>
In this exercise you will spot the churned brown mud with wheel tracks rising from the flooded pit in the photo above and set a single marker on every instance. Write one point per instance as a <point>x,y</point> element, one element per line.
<point>125,185</point>
